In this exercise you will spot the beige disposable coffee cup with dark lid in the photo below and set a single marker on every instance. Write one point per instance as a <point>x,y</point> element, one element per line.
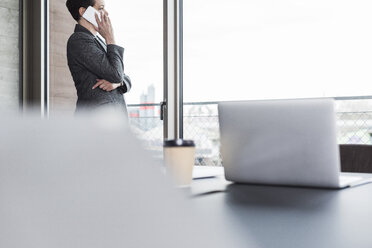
<point>179,157</point>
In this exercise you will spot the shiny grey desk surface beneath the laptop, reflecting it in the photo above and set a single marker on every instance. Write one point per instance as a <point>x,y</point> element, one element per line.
<point>289,217</point>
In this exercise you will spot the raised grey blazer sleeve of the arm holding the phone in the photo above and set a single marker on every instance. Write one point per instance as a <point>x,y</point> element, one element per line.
<point>108,66</point>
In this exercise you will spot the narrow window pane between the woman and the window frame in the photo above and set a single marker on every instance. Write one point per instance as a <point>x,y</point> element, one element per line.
<point>138,27</point>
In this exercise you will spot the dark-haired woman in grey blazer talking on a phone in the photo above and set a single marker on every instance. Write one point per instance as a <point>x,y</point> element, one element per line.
<point>96,66</point>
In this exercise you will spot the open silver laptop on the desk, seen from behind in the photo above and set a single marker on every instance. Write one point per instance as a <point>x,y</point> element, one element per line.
<point>282,142</point>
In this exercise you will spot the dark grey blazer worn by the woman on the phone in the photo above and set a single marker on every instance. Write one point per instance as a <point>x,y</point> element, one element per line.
<point>89,59</point>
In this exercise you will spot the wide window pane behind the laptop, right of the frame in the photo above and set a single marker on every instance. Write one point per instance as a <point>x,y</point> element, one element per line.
<point>265,49</point>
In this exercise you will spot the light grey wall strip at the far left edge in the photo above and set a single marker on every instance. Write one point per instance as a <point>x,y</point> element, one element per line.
<point>9,54</point>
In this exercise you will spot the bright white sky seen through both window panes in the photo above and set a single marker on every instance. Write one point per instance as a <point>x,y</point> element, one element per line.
<point>252,49</point>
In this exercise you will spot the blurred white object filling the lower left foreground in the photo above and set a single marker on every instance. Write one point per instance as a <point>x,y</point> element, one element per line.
<point>86,183</point>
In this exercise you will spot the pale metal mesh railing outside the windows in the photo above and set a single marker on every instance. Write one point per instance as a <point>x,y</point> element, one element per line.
<point>201,125</point>
